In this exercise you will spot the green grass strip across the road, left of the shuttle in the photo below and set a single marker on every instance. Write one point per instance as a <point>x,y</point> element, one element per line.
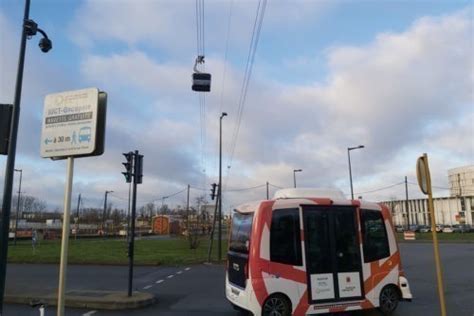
<point>114,251</point>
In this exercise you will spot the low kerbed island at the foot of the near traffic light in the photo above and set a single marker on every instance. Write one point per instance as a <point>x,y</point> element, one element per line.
<point>105,300</point>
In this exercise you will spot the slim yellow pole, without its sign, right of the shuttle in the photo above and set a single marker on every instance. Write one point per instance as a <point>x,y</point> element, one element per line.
<point>439,272</point>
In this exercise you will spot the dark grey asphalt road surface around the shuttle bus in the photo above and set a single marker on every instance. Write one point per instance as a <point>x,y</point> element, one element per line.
<point>199,289</point>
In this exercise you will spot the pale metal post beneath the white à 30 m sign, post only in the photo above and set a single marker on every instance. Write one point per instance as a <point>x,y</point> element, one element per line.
<point>65,238</point>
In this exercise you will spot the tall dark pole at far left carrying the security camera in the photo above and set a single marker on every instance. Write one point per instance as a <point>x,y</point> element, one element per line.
<point>8,186</point>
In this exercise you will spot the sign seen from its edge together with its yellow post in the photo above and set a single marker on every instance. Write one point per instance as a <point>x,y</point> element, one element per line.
<point>424,181</point>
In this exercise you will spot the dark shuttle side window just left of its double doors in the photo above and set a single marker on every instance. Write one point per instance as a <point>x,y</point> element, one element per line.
<point>285,237</point>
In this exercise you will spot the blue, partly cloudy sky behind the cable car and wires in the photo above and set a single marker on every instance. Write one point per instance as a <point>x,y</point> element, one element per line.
<point>396,76</point>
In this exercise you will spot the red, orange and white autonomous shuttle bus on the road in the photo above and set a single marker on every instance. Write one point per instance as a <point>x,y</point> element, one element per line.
<point>311,251</point>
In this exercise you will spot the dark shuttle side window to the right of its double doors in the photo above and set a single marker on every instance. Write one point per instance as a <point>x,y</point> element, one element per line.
<point>374,236</point>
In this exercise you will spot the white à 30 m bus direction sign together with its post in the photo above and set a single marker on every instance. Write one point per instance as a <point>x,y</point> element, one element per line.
<point>73,126</point>
